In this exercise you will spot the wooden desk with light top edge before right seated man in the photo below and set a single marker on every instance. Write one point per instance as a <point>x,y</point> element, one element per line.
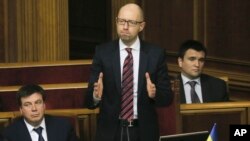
<point>198,117</point>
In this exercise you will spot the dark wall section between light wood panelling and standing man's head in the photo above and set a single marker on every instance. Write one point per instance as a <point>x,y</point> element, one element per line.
<point>89,25</point>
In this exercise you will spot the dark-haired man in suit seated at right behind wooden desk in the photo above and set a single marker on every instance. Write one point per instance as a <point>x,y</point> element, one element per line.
<point>191,60</point>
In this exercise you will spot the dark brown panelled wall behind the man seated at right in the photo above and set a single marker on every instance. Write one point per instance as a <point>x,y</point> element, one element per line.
<point>221,25</point>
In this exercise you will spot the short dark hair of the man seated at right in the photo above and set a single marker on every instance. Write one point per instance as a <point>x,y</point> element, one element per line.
<point>191,44</point>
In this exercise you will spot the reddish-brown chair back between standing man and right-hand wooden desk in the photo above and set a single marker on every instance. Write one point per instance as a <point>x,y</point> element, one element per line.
<point>169,117</point>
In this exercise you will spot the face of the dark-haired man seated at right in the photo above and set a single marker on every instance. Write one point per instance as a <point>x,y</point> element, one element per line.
<point>192,63</point>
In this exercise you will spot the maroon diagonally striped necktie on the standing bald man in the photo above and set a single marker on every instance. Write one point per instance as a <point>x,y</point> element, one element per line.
<point>127,87</point>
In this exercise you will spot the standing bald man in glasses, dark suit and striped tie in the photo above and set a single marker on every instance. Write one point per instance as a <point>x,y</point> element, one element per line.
<point>150,85</point>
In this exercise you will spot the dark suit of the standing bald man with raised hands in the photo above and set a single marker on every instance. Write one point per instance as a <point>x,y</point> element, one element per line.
<point>107,60</point>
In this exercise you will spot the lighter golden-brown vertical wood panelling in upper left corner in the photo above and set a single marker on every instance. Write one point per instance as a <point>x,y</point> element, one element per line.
<point>34,30</point>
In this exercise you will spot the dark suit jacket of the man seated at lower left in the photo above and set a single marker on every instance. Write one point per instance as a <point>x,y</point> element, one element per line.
<point>58,129</point>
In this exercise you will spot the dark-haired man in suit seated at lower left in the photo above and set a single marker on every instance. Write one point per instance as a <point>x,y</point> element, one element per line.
<point>33,125</point>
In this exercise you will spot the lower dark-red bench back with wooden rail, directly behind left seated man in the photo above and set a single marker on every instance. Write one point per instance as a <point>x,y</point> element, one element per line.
<point>70,95</point>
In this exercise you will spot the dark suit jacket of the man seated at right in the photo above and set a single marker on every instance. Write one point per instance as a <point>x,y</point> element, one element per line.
<point>213,89</point>
